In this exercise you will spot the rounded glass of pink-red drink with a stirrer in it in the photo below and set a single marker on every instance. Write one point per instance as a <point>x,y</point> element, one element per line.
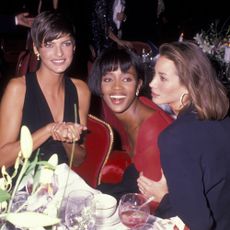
<point>130,209</point>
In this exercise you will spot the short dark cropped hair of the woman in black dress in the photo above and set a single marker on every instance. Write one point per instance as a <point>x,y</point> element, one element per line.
<point>50,25</point>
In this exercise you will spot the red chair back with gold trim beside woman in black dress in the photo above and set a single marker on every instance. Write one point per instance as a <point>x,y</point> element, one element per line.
<point>98,145</point>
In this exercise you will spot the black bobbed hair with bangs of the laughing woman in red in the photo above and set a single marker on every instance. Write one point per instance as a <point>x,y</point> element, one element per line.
<point>110,60</point>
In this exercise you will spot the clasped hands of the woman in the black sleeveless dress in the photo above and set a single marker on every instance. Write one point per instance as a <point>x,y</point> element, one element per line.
<point>67,131</point>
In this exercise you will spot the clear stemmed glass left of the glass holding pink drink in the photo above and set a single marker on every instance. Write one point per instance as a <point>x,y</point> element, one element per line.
<point>80,210</point>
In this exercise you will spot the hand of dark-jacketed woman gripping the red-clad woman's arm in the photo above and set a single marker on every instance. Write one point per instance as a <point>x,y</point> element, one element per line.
<point>150,187</point>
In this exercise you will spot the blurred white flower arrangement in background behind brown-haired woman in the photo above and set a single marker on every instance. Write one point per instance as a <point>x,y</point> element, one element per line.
<point>215,42</point>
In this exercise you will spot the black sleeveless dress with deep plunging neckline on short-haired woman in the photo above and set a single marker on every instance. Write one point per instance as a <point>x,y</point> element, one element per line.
<point>36,114</point>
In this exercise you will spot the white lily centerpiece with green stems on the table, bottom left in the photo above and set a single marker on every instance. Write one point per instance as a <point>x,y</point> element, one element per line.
<point>26,203</point>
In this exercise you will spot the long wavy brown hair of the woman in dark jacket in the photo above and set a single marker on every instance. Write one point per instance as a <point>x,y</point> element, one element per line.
<point>206,92</point>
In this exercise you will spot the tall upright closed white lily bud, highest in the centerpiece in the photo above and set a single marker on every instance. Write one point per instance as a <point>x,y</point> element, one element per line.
<point>26,142</point>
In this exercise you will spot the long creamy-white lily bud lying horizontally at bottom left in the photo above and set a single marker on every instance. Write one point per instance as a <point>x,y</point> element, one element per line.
<point>31,219</point>
